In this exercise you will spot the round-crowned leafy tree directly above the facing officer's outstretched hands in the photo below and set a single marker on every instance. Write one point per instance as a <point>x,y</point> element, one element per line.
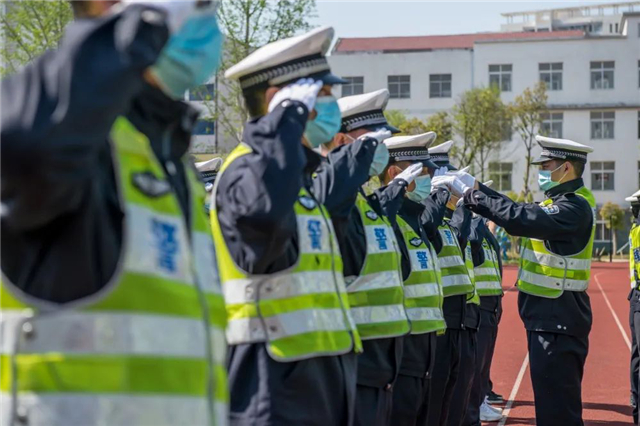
<point>479,119</point>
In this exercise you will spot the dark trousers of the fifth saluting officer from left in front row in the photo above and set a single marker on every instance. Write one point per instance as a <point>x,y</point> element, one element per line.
<point>455,361</point>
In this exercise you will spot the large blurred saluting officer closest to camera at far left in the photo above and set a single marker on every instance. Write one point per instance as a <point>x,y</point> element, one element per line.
<point>111,307</point>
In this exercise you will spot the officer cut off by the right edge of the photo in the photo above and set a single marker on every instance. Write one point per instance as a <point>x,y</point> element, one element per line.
<point>634,298</point>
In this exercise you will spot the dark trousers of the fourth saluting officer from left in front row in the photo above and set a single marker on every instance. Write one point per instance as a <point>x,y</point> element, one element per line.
<point>411,391</point>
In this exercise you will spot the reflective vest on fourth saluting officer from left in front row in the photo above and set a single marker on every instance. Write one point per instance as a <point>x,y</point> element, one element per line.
<point>422,289</point>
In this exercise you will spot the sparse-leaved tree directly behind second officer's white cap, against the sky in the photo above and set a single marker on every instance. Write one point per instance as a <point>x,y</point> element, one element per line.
<point>248,25</point>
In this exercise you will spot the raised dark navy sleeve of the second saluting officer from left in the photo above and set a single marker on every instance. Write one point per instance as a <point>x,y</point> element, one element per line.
<point>256,194</point>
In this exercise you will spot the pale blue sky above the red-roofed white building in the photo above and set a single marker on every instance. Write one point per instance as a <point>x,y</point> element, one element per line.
<point>370,18</point>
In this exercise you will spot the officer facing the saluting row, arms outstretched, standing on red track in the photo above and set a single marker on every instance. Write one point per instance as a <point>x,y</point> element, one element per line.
<point>555,267</point>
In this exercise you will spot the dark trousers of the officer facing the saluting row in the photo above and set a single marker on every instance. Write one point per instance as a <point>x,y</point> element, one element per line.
<point>557,366</point>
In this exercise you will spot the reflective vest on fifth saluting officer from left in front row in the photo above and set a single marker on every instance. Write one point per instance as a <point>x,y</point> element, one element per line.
<point>456,268</point>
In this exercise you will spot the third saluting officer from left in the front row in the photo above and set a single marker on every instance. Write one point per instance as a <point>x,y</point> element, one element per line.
<point>371,262</point>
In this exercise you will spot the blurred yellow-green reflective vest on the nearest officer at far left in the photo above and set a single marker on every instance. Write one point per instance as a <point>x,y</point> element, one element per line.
<point>149,348</point>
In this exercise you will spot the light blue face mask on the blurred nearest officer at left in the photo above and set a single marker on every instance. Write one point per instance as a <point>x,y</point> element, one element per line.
<point>191,55</point>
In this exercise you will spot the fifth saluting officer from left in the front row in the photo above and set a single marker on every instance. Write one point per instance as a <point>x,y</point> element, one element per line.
<point>456,349</point>
